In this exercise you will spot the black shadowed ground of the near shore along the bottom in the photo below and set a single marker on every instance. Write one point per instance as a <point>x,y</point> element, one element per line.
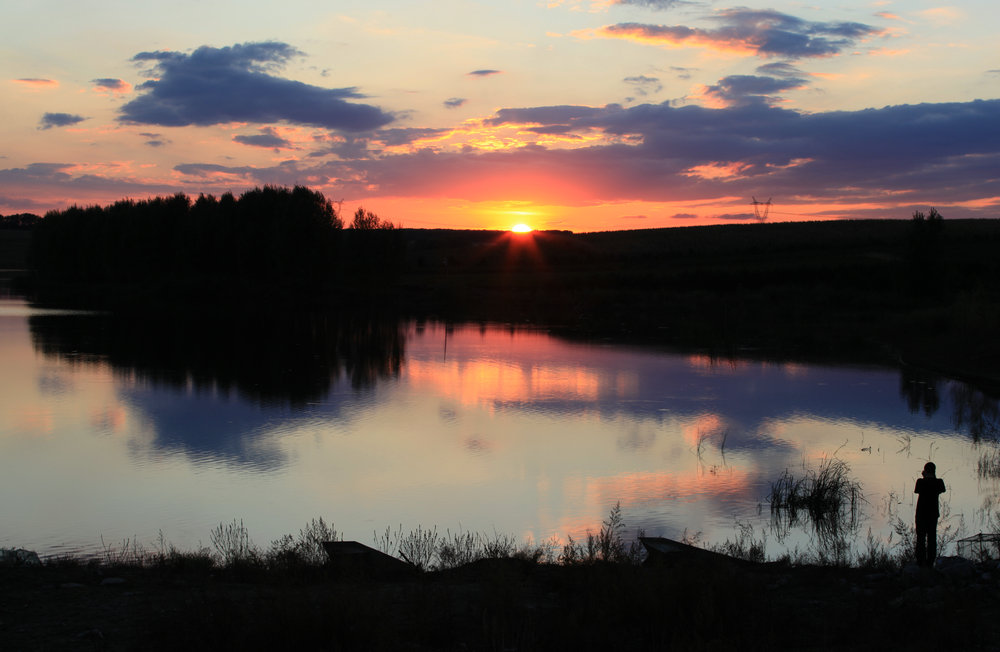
<point>503,605</point>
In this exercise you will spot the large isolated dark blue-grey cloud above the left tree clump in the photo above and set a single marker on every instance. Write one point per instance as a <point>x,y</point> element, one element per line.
<point>237,84</point>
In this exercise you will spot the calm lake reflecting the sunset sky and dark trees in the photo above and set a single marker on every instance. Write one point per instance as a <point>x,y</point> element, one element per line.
<point>115,429</point>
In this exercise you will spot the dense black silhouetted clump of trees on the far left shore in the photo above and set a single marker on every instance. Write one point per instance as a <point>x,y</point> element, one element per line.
<point>275,235</point>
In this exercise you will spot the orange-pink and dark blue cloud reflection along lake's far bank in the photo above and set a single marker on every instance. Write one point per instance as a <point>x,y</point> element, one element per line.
<point>745,404</point>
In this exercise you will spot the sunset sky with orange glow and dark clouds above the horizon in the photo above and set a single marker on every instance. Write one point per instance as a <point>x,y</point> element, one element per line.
<point>585,115</point>
